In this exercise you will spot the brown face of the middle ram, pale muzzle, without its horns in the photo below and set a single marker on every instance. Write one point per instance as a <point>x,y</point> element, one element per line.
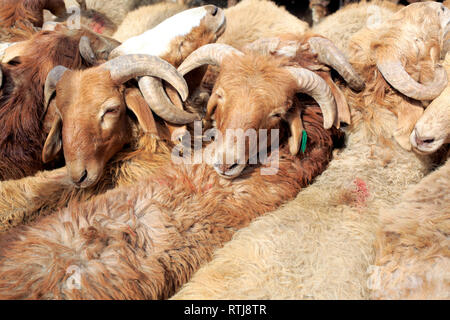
<point>251,93</point>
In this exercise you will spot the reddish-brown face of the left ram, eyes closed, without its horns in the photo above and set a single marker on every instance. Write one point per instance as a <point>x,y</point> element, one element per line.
<point>93,125</point>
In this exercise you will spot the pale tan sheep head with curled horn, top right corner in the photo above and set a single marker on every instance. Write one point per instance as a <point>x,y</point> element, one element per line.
<point>407,49</point>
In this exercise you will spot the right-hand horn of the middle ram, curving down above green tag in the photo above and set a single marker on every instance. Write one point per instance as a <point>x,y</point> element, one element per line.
<point>313,85</point>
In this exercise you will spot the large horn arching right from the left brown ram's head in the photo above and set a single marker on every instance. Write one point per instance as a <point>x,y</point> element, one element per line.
<point>127,67</point>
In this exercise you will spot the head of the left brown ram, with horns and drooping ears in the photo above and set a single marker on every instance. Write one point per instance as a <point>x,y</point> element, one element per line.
<point>91,124</point>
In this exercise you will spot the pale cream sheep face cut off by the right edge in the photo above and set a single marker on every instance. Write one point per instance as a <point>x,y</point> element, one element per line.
<point>432,130</point>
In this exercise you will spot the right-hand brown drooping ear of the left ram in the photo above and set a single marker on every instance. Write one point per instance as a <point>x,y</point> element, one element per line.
<point>137,104</point>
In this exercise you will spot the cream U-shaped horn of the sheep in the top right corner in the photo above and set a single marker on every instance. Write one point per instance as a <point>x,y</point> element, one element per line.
<point>396,75</point>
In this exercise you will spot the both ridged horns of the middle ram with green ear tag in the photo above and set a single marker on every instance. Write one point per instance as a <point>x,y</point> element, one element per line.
<point>307,81</point>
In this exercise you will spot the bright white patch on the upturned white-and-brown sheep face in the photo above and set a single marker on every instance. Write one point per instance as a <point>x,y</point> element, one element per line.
<point>156,41</point>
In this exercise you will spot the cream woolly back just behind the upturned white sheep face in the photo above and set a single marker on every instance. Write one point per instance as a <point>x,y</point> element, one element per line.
<point>145,18</point>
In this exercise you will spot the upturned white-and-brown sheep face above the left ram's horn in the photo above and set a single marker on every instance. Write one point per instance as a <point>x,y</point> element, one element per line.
<point>177,36</point>
